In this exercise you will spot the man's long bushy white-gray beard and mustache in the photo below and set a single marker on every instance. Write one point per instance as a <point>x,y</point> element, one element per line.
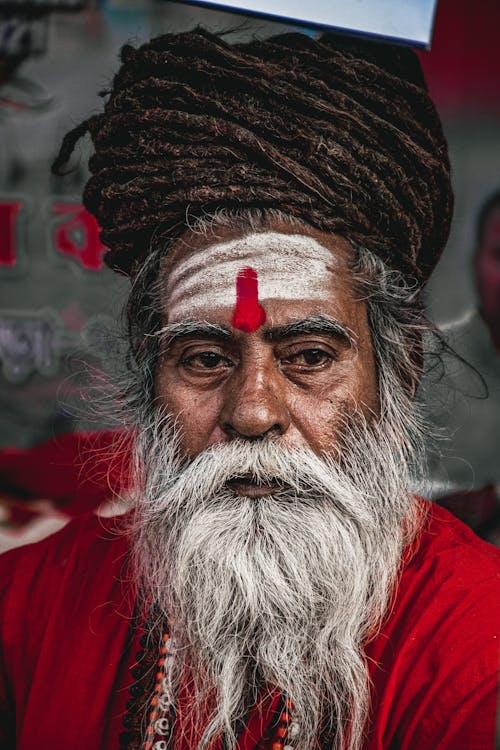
<point>283,590</point>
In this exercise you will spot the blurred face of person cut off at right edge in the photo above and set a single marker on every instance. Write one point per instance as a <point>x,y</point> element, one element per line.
<point>488,274</point>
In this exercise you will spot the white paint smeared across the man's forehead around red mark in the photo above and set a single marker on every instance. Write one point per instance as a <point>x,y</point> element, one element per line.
<point>289,266</point>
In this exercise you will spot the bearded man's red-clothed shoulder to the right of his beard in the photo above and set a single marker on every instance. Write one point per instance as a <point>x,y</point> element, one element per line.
<point>435,661</point>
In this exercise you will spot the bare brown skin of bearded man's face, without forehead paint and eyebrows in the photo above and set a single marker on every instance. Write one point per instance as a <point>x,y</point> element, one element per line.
<point>300,389</point>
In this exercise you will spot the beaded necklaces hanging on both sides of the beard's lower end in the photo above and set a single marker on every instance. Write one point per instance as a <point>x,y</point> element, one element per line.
<point>161,709</point>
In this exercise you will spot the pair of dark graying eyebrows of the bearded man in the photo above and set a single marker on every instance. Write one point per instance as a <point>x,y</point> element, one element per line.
<point>204,329</point>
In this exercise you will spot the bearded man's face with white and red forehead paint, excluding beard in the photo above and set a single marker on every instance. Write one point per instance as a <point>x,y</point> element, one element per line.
<point>299,374</point>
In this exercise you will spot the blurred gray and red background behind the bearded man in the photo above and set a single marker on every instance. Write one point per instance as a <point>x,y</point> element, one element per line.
<point>60,307</point>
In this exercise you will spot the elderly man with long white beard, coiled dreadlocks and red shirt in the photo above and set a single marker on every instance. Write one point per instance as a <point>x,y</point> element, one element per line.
<point>278,206</point>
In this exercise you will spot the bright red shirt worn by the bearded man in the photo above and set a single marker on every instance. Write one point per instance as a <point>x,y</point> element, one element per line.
<point>68,644</point>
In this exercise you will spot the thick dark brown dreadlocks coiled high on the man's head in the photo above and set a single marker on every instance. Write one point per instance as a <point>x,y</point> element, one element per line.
<point>338,133</point>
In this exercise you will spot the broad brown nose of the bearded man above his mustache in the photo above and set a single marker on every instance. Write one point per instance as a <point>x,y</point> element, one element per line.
<point>254,404</point>
